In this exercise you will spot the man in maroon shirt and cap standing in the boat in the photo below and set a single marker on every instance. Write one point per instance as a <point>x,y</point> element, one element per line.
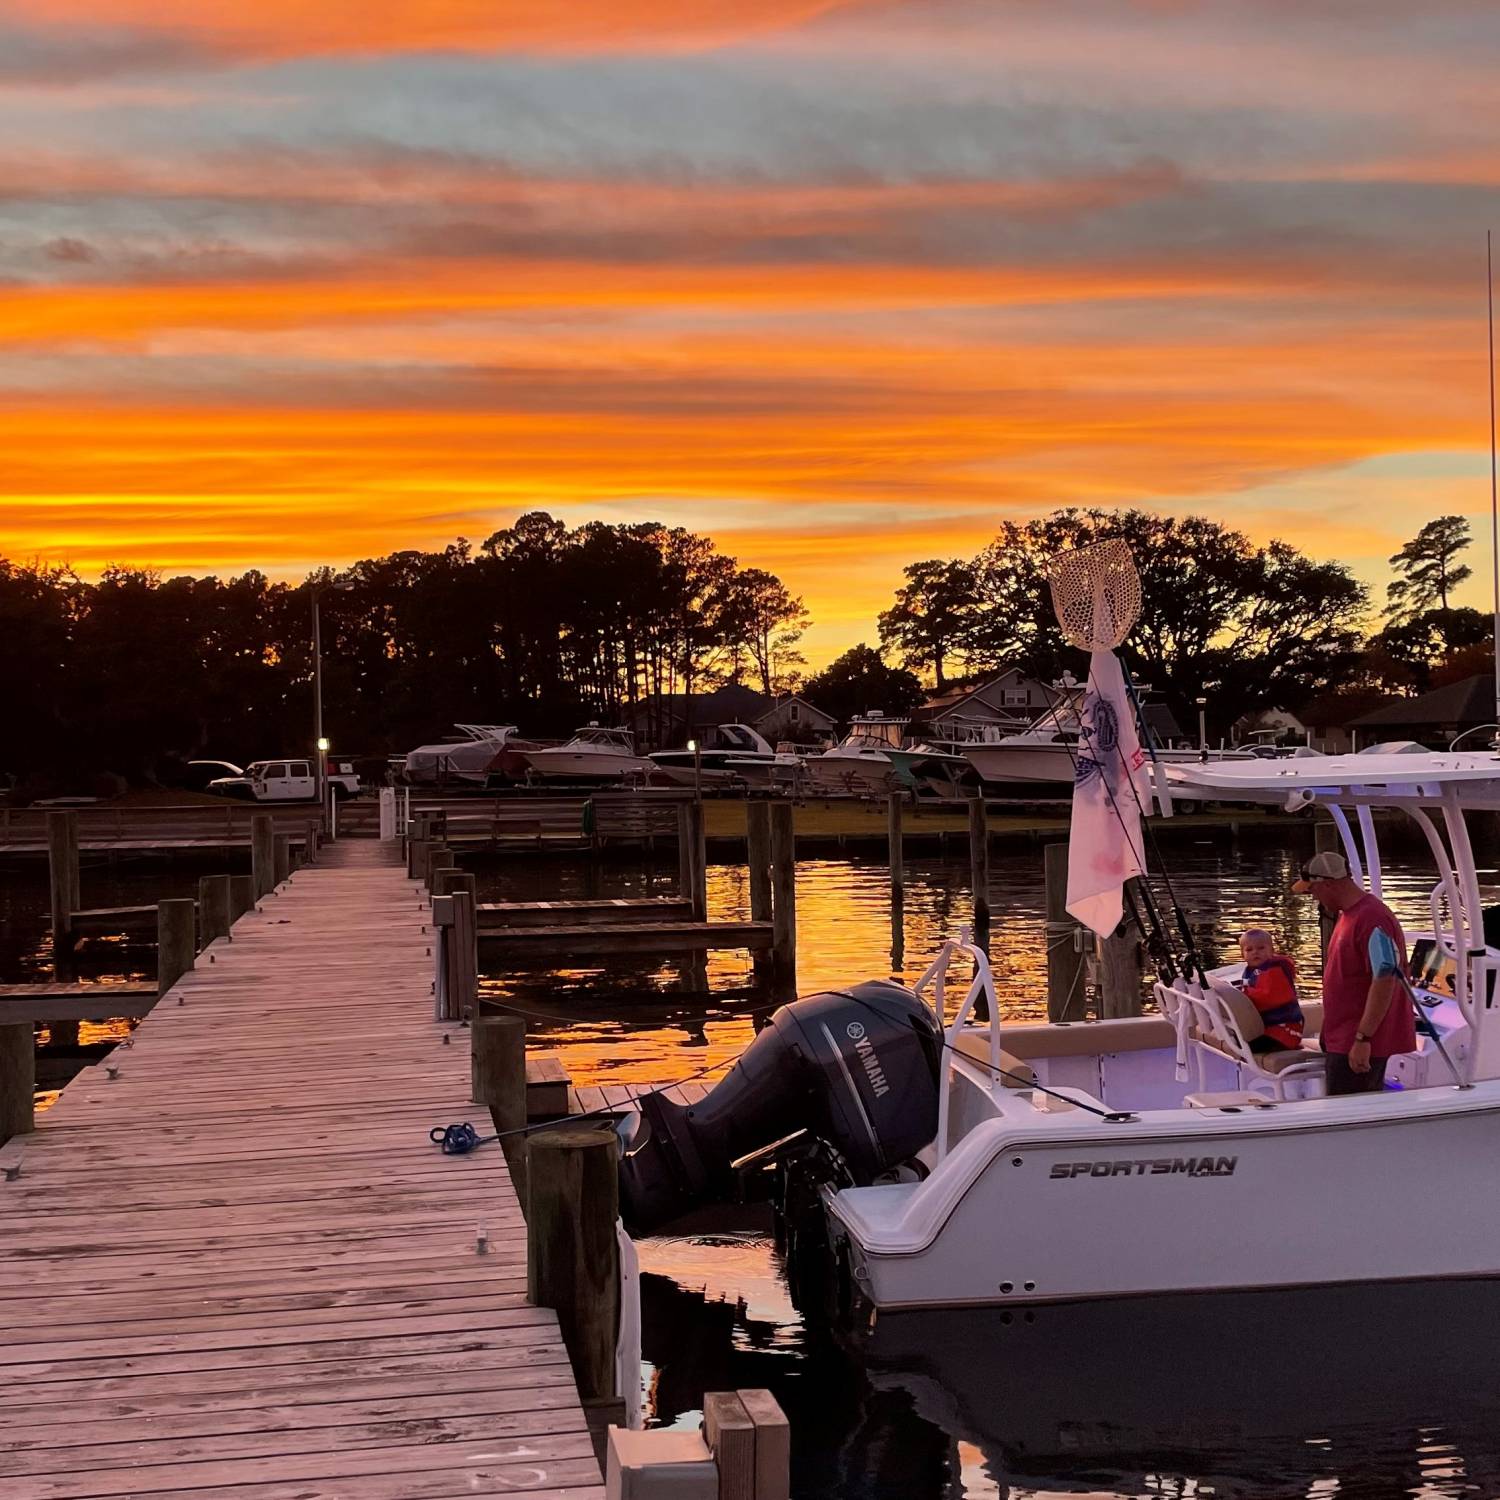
<point>1366,1016</point>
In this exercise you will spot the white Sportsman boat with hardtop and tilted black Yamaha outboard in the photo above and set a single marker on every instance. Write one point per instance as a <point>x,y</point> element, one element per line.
<point>1009,1165</point>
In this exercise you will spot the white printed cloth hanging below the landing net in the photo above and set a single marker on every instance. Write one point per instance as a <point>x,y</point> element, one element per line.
<point>1109,793</point>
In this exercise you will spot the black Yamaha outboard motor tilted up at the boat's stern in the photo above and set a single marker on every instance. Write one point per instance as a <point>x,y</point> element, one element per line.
<point>856,1069</point>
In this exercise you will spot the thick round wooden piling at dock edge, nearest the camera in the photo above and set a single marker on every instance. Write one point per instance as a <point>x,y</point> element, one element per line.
<point>572,1253</point>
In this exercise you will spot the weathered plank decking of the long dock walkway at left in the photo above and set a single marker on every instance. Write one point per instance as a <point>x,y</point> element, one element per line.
<point>242,1273</point>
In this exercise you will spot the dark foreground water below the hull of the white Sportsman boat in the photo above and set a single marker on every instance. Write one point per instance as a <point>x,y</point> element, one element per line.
<point>1342,1391</point>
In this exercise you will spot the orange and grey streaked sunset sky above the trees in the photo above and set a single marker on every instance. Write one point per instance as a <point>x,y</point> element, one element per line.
<point>842,284</point>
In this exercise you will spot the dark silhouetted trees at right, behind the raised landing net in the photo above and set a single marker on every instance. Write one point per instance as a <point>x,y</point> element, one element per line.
<point>1247,626</point>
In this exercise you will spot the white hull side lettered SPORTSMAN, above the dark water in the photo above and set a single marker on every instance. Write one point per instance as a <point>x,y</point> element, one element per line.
<point>1372,1189</point>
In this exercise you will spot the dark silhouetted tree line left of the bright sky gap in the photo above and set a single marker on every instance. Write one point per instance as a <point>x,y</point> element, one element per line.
<point>542,626</point>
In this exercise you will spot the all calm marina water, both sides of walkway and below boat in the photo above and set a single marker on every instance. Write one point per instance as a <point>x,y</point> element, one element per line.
<point>1322,1394</point>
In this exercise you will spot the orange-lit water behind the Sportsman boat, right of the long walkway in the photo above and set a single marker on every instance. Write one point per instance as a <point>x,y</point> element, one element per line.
<point>643,1021</point>
